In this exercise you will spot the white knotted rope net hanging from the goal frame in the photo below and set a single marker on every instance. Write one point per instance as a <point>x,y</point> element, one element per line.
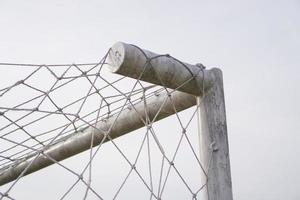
<point>42,105</point>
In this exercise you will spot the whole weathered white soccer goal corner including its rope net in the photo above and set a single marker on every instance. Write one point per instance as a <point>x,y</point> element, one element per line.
<point>135,125</point>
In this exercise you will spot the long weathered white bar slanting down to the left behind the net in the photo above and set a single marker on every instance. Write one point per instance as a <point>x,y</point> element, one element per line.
<point>117,125</point>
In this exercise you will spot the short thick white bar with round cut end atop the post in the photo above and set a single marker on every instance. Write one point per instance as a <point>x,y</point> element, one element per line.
<point>130,60</point>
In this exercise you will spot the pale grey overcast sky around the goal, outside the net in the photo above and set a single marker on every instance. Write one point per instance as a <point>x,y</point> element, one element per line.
<point>255,43</point>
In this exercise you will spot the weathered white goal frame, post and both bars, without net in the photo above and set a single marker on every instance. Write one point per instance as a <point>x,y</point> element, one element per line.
<point>192,85</point>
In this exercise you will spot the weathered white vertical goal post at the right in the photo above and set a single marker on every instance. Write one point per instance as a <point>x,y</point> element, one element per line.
<point>214,151</point>
